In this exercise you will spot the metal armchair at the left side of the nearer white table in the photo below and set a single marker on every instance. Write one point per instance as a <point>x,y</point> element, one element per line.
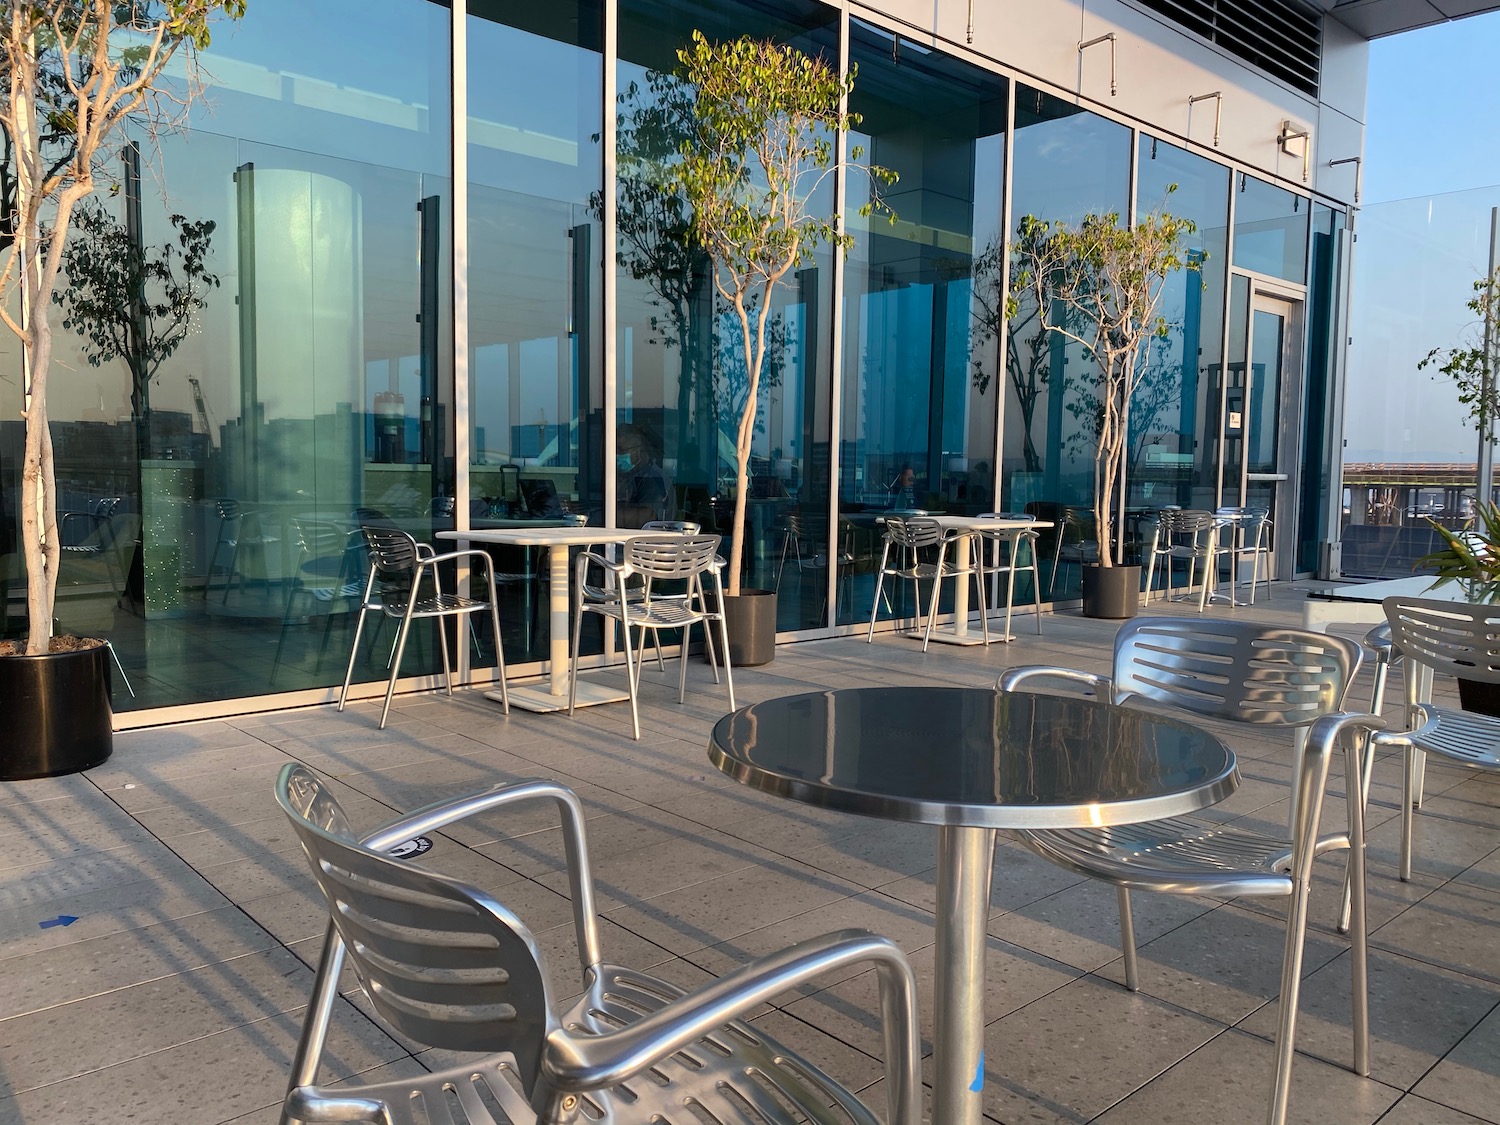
<point>395,589</point>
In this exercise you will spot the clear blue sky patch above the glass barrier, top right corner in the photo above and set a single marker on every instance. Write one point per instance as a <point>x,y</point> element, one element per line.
<point>1432,113</point>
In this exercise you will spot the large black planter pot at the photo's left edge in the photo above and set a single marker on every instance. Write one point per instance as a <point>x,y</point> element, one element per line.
<point>58,713</point>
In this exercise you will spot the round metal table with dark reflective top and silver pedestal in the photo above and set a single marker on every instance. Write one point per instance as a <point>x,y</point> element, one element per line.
<point>971,761</point>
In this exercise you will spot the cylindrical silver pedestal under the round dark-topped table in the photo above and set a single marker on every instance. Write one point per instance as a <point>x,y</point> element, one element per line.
<point>965,863</point>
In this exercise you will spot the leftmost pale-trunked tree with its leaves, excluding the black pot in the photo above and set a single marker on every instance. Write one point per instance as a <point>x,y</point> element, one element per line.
<point>76,71</point>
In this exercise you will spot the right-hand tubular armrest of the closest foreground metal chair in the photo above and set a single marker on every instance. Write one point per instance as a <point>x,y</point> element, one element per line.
<point>577,1064</point>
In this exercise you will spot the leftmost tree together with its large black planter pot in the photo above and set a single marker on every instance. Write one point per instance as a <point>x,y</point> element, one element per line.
<point>77,71</point>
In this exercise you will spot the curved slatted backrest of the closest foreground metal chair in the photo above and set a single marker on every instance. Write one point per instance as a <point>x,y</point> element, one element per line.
<point>445,964</point>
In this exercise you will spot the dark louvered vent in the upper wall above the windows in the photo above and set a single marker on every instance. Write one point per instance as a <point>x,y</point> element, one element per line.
<point>1280,38</point>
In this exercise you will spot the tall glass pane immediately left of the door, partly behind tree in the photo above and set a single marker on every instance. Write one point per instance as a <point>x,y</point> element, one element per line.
<point>1171,427</point>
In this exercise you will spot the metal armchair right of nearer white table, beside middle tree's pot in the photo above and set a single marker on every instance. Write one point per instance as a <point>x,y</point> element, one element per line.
<point>655,559</point>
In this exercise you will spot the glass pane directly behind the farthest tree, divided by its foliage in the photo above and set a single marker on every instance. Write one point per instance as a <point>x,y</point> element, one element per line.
<point>1069,163</point>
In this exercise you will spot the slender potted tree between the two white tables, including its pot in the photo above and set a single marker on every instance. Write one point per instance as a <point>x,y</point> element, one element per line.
<point>766,127</point>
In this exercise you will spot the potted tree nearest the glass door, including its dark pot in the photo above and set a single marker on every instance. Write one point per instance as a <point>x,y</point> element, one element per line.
<point>1100,286</point>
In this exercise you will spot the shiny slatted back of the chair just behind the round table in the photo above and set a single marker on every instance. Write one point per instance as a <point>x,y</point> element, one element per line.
<point>1235,670</point>
